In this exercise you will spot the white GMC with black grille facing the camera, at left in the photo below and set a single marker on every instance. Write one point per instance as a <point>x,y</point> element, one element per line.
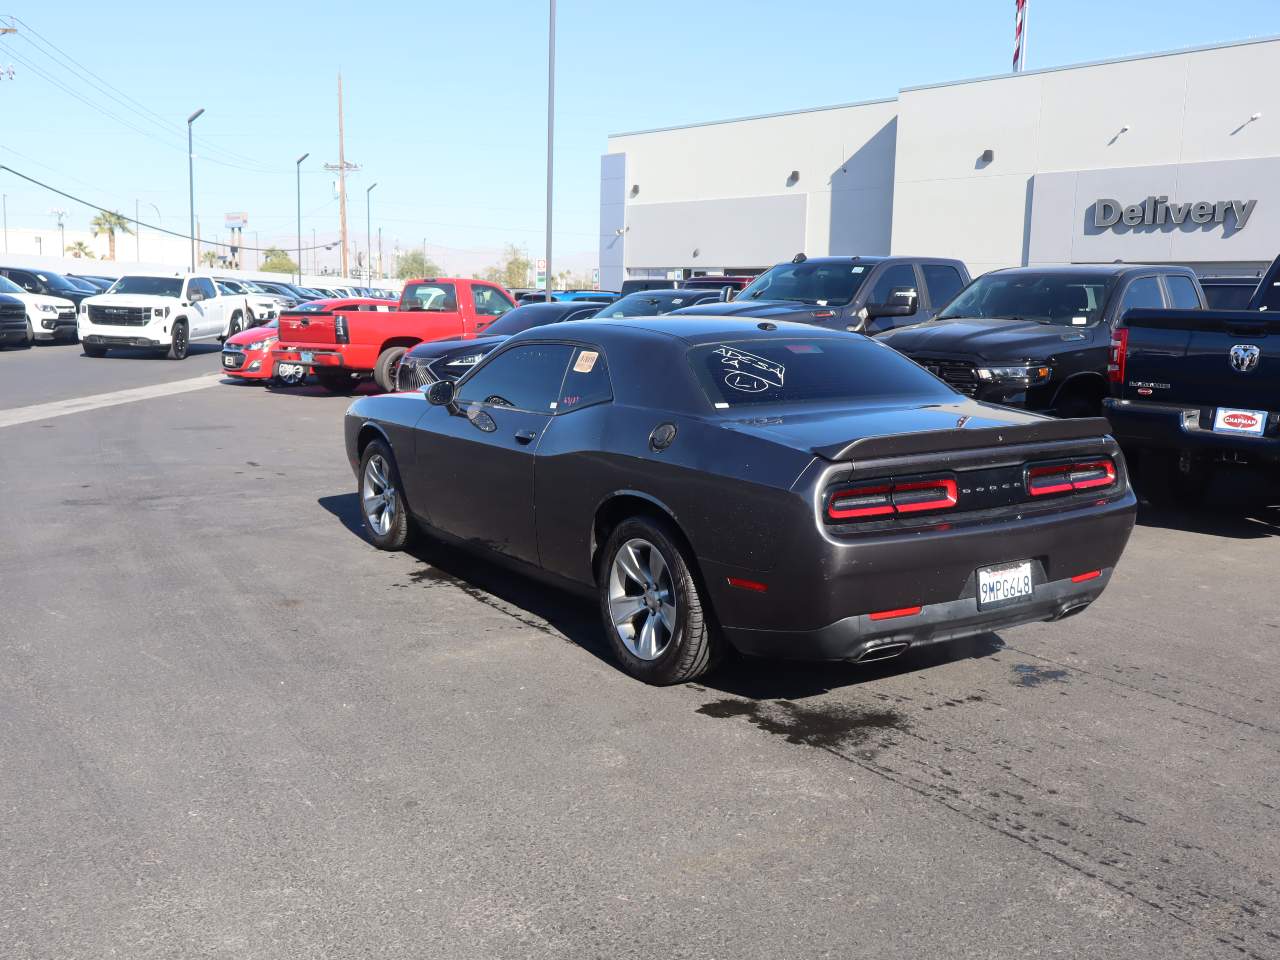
<point>163,313</point>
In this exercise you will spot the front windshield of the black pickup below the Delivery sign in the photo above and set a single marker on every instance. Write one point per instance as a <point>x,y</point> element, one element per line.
<point>1066,300</point>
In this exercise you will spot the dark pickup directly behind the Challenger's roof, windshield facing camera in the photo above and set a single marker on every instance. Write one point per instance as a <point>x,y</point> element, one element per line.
<point>863,295</point>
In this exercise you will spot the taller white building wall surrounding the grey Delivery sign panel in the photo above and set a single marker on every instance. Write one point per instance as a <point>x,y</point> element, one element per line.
<point>1180,108</point>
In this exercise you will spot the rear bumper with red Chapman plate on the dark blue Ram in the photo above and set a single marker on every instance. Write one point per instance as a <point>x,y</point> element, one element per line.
<point>1173,428</point>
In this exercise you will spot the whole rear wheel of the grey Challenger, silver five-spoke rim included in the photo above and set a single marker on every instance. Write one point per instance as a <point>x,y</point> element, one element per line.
<point>652,607</point>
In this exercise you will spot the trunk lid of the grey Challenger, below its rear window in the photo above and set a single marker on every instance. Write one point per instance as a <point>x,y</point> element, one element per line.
<point>825,427</point>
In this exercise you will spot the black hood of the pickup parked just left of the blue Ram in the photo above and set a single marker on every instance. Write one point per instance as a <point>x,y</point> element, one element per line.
<point>985,340</point>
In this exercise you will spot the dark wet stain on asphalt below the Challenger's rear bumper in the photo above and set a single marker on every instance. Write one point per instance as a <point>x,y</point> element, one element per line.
<point>830,726</point>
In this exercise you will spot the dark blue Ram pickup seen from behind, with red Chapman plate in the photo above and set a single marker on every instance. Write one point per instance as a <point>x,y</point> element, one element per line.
<point>1200,386</point>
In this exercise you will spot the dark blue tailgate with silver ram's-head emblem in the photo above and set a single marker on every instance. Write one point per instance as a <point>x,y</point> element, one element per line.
<point>1204,358</point>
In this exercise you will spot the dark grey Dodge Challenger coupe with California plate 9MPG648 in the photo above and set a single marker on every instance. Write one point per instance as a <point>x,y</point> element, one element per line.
<point>788,491</point>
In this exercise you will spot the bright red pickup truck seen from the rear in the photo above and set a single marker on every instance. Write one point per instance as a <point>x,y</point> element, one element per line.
<point>345,346</point>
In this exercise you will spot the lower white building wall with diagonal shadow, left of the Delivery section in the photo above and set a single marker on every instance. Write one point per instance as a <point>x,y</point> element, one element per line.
<point>842,200</point>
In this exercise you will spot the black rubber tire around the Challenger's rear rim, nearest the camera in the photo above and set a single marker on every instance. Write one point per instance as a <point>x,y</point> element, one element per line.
<point>692,646</point>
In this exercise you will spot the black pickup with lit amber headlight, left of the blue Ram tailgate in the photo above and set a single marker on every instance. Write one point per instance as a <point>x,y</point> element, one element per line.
<point>1040,339</point>
